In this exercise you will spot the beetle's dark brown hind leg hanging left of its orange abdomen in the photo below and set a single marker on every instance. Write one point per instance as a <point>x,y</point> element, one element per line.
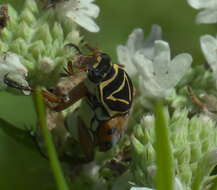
<point>86,140</point>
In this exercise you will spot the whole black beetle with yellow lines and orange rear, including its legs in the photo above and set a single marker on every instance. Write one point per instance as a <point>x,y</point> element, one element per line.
<point>107,95</point>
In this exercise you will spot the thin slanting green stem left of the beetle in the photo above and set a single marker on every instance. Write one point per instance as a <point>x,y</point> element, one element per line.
<point>52,155</point>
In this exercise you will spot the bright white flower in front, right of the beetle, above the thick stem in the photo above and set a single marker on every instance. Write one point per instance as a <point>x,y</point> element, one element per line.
<point>159,75</point>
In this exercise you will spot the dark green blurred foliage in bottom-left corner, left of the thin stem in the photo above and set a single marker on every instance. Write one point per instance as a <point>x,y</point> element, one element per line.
<point>21,164</point>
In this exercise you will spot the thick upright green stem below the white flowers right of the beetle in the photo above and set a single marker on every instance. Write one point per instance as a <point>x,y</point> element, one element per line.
<point>165,176</point>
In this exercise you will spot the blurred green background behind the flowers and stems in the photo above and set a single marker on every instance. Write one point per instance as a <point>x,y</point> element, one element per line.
<point>21,165</point>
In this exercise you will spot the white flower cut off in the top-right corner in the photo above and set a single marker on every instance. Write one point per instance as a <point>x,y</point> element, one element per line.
<point>209,12</point>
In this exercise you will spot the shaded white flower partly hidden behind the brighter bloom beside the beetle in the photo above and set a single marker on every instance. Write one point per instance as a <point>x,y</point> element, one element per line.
<point>136,42</point>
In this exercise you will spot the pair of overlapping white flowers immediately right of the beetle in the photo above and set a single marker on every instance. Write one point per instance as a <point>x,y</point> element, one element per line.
<point>150,60</point>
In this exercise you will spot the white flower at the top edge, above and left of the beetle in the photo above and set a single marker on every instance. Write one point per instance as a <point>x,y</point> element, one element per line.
<point>82,12</point>
